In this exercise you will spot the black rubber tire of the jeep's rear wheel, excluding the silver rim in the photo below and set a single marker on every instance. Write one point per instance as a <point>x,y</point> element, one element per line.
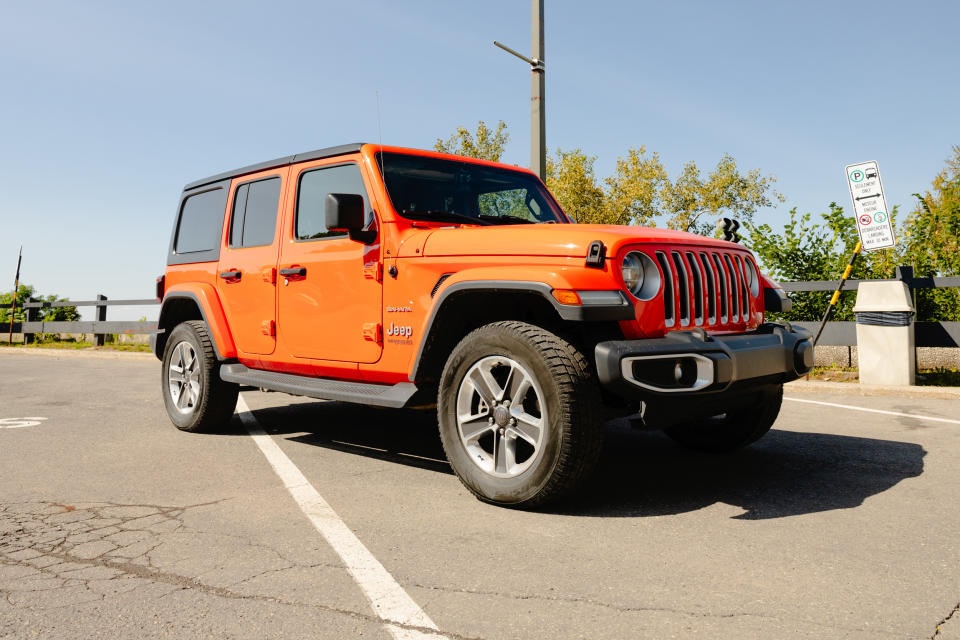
<point>216,399</point>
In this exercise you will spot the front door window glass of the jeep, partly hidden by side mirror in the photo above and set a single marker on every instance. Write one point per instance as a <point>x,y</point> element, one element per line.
<point>312,190</point>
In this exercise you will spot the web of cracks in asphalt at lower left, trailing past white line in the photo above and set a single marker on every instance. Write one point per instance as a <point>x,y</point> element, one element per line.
<point>49,547</point>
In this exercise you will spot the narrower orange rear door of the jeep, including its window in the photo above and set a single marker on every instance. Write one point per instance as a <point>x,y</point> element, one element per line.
<point>246,274</point>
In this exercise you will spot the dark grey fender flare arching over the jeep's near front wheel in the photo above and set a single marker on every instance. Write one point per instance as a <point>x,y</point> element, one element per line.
<point>596,305</point>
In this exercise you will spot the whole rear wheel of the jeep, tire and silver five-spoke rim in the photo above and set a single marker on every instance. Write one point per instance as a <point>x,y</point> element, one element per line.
<point>195,396</point>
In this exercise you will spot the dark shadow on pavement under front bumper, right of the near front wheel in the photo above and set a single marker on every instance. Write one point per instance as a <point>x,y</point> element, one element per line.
<point>787,473</point>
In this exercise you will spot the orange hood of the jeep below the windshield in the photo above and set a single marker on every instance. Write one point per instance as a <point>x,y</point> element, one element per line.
<point>564,240</point>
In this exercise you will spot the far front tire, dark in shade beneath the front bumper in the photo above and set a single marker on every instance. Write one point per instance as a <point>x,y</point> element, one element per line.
<point>733,430</point>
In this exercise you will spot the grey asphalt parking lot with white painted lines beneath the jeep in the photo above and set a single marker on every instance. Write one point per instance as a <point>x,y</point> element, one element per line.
<point>113,524</point>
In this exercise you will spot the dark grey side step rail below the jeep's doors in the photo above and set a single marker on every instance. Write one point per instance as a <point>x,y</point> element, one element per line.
<point>380,395</point>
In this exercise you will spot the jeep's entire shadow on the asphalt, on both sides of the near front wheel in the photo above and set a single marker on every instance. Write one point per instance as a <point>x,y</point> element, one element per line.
<point>641,473</point>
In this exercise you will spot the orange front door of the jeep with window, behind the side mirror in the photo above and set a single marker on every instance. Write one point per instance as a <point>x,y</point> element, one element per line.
<point>329,286</point>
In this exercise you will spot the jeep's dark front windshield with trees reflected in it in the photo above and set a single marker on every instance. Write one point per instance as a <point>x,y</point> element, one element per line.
<point>423,188</point>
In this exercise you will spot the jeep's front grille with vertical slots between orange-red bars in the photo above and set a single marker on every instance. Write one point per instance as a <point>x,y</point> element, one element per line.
<point>703,288</point>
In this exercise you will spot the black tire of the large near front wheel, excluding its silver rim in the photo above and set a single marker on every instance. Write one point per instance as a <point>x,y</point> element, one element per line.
<point>572,435</point>
